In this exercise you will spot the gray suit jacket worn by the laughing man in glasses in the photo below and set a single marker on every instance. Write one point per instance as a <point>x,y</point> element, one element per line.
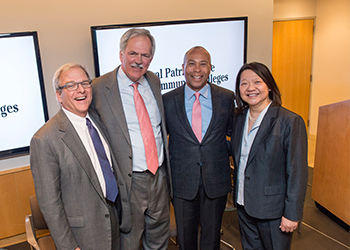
<point>68,191</point>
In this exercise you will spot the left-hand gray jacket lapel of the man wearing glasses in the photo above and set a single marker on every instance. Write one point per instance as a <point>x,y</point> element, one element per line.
<point>73,142</point>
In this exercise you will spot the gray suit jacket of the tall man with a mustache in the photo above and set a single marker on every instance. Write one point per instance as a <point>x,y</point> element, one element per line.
<point>107,103</point>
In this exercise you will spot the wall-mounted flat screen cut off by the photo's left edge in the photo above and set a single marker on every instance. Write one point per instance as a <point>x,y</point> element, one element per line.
<point>23,105</point>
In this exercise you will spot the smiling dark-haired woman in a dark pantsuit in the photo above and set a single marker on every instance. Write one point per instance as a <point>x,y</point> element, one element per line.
<point>269,149</point>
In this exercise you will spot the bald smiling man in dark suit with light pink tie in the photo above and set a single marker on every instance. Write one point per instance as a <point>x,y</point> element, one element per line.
<point>199,156</point>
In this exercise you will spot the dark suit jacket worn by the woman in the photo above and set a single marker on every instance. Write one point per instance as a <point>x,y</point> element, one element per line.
<point>276,173</point>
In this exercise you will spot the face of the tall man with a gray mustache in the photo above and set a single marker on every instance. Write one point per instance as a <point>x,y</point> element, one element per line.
<point>137,57</point>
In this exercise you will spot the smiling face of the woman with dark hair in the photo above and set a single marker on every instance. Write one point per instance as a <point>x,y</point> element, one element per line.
<point>253,90</point>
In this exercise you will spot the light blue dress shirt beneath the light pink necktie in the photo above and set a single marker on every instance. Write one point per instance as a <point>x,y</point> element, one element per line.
<point>206,105</point>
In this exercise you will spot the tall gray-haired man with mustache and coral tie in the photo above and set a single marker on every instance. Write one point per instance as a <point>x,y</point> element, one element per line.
<point>116,94</point>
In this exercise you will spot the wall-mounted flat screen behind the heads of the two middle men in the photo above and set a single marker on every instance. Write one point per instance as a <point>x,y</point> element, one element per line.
<point>224,38</point>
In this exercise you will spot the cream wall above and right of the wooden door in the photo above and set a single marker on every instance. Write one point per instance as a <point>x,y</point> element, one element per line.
<point>331,53</point>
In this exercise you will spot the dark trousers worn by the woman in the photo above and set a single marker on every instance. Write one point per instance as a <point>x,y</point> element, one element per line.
<point>259,234</point>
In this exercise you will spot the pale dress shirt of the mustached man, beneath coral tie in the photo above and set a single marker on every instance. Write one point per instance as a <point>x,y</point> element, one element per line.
<point>127,96</point>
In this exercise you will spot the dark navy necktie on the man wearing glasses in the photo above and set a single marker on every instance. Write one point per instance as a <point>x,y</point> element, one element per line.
<point>111,182</point>
